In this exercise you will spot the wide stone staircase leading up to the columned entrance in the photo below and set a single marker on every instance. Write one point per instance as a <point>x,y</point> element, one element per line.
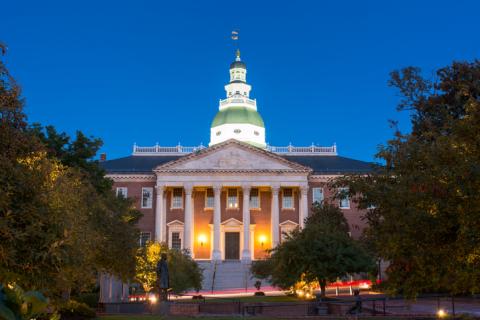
<point>229,275</point>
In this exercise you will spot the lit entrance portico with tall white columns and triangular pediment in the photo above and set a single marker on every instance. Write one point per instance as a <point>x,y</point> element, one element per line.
<point>234,185</point>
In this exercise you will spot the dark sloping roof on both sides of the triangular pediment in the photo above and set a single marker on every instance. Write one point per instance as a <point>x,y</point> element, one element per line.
<point>319,164</point>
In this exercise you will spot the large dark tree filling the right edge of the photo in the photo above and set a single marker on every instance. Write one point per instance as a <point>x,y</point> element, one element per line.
<point>425,216</point>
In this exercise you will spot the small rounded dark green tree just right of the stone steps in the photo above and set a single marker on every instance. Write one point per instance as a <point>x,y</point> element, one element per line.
<point>321,252</point>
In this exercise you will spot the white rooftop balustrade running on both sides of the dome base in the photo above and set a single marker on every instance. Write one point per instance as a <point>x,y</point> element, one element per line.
<point>287,150</point>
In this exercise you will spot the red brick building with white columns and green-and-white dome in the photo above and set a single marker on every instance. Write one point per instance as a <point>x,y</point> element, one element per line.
<point>232,200</point>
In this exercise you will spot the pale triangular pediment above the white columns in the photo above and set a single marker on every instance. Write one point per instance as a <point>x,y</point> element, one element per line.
<point>232,155</point>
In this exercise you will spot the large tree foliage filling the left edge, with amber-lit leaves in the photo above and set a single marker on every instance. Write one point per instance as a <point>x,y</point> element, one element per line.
<point>60,223</point>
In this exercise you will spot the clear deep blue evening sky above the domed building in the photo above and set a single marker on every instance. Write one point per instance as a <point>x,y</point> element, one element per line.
<point>153,71</point>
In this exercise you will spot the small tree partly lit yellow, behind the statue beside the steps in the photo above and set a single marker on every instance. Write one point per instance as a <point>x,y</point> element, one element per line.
<point>184,272</point>
